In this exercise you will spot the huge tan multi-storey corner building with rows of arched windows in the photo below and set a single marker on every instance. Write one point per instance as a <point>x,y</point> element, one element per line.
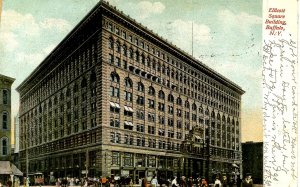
<point>113,98</point>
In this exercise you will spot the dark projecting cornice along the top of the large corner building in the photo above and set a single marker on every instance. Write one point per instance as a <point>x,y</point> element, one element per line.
<point>105,9</point>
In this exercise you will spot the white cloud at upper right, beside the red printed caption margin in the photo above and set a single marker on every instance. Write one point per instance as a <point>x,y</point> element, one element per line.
<point>242,21</point>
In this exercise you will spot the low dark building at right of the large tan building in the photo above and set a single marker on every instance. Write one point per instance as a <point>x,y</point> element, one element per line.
<point>253,160</point>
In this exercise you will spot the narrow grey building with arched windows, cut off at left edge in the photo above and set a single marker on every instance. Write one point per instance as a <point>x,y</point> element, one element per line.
<point>5,119</point>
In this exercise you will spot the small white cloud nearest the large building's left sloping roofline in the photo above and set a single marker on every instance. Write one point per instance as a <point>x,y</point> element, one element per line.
<point>58,24</point>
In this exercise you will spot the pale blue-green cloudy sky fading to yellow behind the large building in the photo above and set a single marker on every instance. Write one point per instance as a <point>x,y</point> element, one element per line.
<point>227,36</point>
